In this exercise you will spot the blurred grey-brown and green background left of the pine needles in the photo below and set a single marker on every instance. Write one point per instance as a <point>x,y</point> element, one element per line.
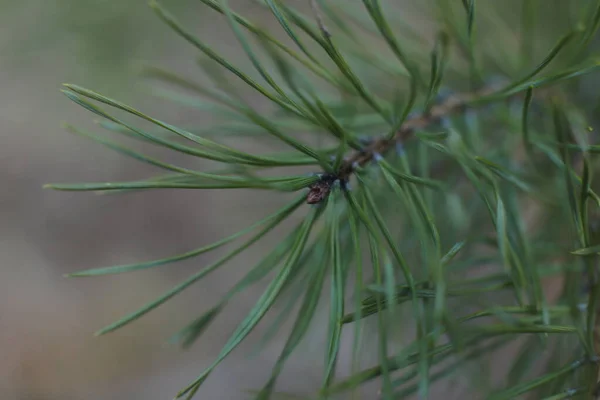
<point>47,348</point>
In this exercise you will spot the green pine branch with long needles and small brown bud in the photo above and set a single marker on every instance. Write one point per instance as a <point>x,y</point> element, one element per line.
<point>452,180</point>
